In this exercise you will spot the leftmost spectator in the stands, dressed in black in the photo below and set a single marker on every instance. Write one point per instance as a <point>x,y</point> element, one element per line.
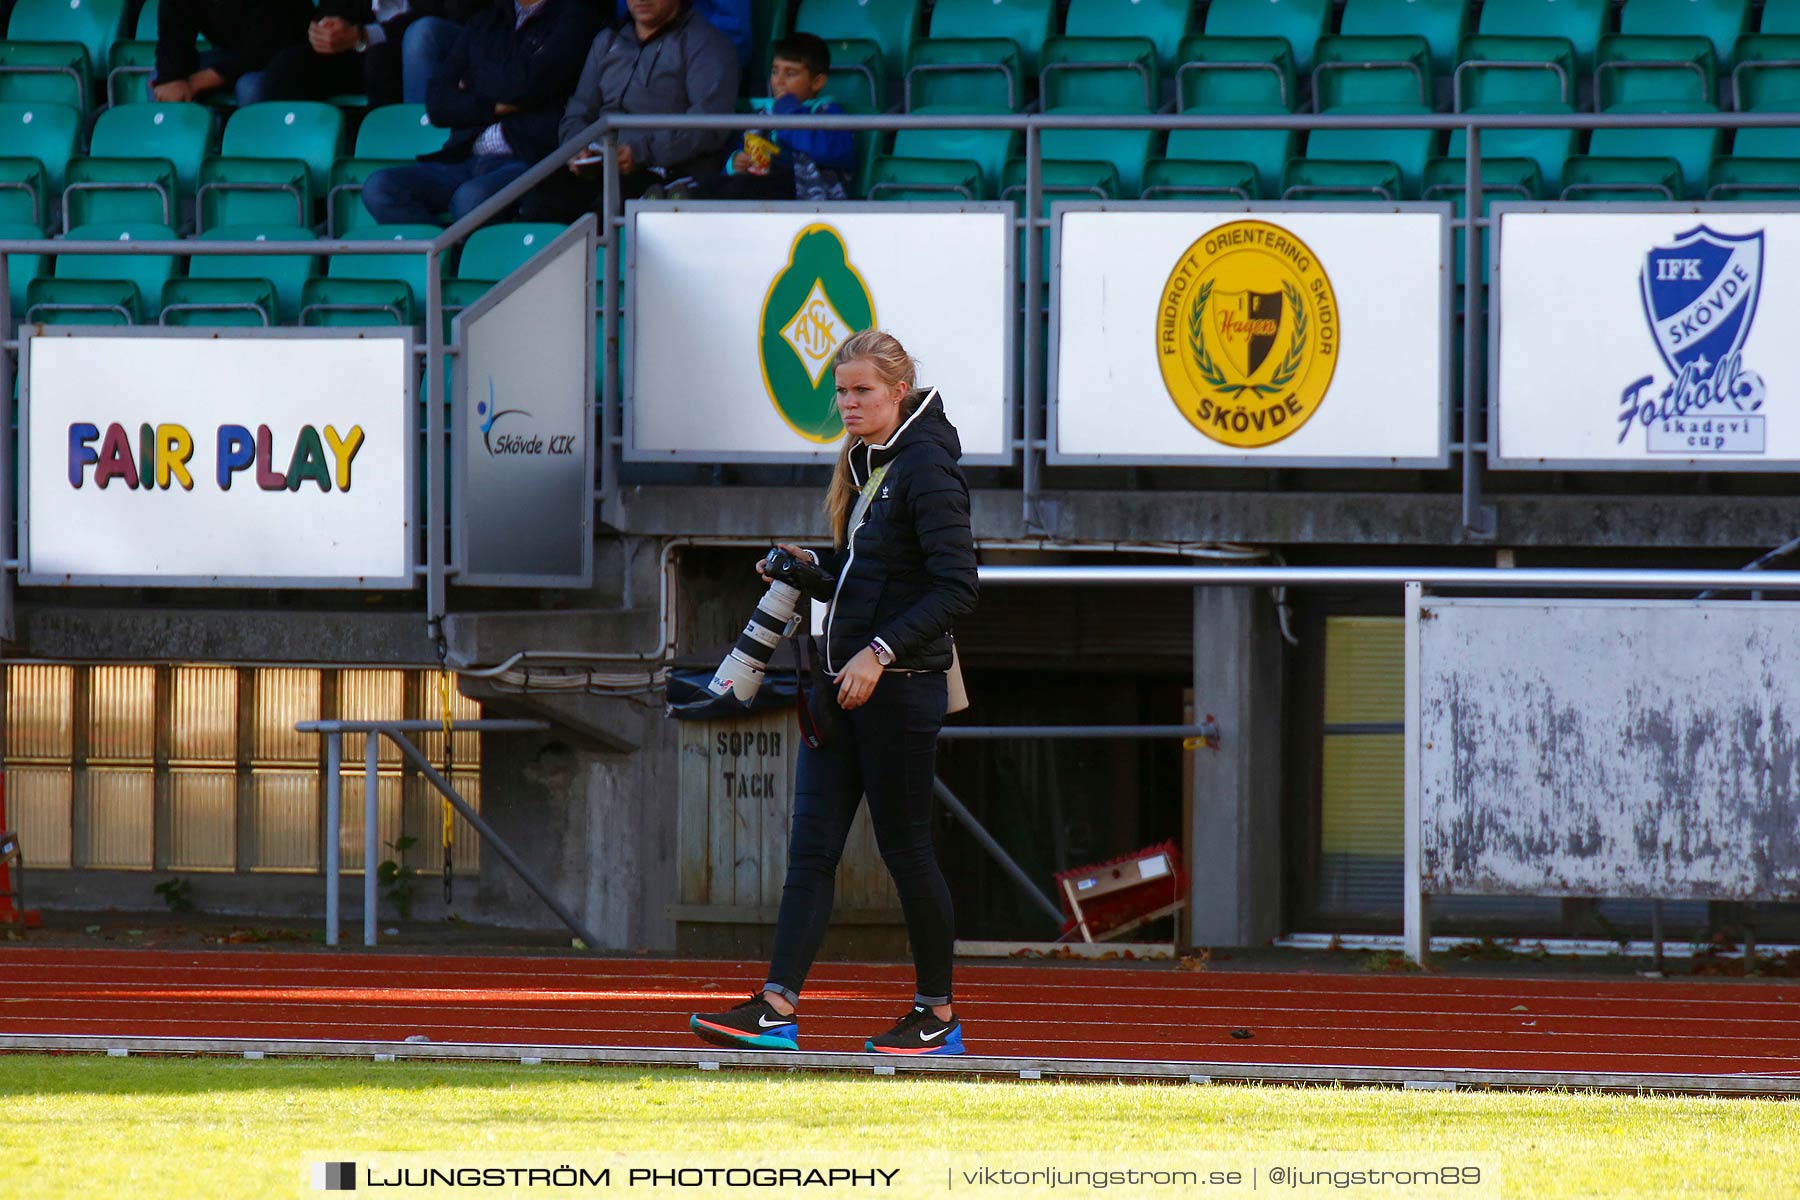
<point>244,35</point>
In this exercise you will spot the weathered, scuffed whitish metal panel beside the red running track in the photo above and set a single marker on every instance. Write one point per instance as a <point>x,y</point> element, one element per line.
<point>1608,749</point>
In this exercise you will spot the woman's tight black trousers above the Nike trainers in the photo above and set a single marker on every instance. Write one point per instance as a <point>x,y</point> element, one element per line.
<point>886,749</point>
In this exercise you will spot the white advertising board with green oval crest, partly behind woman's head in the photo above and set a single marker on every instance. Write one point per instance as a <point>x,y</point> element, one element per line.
<point>733,316</point>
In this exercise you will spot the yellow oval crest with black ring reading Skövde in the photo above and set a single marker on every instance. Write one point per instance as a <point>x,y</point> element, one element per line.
<point>1246,334</point>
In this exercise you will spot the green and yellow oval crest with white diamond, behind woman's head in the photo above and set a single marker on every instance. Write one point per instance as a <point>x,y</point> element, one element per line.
<point>813,307</point>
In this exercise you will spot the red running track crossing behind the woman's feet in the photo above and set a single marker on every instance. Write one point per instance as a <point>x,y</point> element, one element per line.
<point>1021,1012</point>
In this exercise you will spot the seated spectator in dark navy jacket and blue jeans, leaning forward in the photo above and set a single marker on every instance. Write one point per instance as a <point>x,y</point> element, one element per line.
<point>499,94</point>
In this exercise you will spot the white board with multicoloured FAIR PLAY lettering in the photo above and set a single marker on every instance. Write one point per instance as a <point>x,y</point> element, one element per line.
<point>190,458</point>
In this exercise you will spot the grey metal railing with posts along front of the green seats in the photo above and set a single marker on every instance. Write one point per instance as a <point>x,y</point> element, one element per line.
<point>1032,224</point>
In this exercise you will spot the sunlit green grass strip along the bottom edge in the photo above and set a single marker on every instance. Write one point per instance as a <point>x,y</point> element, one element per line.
<point>87,1127</point>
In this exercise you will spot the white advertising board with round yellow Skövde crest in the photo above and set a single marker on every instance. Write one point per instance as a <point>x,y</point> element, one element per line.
<point>1272,336</point>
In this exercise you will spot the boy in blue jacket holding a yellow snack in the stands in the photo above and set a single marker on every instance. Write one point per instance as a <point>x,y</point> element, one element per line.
<point>795,165</point>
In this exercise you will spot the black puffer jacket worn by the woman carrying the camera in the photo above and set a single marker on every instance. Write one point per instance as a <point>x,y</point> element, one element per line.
<point>908,571</point>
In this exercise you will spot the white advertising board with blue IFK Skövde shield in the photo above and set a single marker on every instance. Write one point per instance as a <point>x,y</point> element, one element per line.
<point>1644,339</point>
